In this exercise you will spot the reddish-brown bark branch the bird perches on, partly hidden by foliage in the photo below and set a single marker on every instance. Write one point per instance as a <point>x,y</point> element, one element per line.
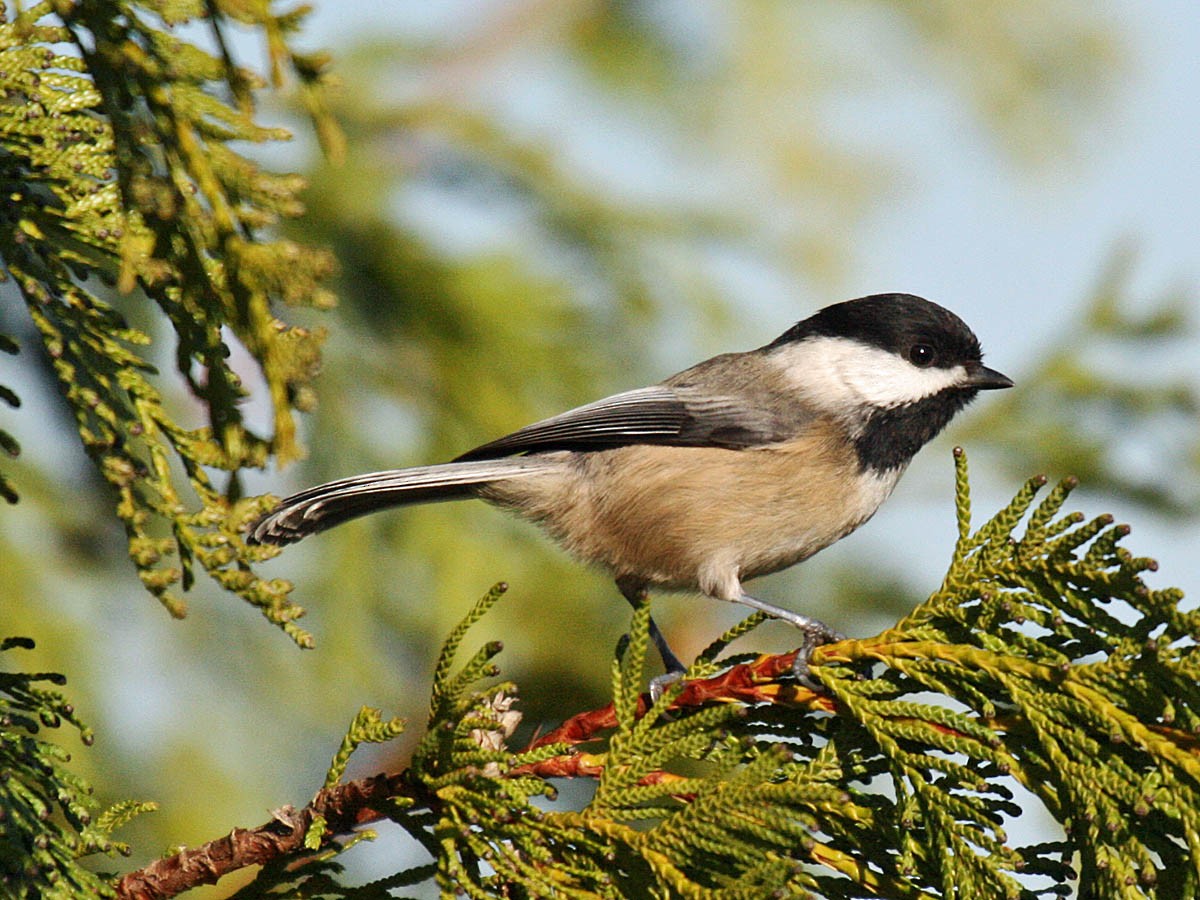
<point>356,803</point>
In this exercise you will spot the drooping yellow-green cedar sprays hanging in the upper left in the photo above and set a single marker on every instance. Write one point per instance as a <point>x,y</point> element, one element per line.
<point>118,158</point>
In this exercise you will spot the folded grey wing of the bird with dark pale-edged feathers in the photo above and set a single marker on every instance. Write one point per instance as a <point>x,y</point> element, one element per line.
<point>682,412</point>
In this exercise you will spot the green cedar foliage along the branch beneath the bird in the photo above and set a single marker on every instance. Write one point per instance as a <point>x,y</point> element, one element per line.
<point>1042,670</point>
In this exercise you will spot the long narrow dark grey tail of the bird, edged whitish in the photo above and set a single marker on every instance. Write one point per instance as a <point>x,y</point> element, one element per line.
<point>331,505</point>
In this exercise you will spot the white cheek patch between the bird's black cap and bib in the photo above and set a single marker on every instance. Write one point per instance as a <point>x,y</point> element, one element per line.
<point>835,374</point>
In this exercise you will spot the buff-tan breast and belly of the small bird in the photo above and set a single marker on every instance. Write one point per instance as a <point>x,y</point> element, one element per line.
<point>704,518</point>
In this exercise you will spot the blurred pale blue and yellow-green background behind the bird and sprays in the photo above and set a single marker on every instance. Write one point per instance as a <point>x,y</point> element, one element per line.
<point>548,201</point>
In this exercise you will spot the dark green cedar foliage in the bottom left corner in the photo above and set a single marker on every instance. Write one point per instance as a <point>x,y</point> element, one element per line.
<point>46,811</point>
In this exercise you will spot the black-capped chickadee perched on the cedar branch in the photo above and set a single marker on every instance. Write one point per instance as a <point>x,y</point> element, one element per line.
<point>741,466</point>
